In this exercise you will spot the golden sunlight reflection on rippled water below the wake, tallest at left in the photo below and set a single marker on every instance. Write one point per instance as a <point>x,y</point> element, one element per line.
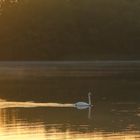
<point>14,128</point>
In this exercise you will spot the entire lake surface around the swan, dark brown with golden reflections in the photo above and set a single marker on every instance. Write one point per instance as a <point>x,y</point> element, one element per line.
<point>37,100</point>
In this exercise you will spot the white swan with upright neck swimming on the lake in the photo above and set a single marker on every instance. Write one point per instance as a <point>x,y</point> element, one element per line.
<point>84,105</point>
